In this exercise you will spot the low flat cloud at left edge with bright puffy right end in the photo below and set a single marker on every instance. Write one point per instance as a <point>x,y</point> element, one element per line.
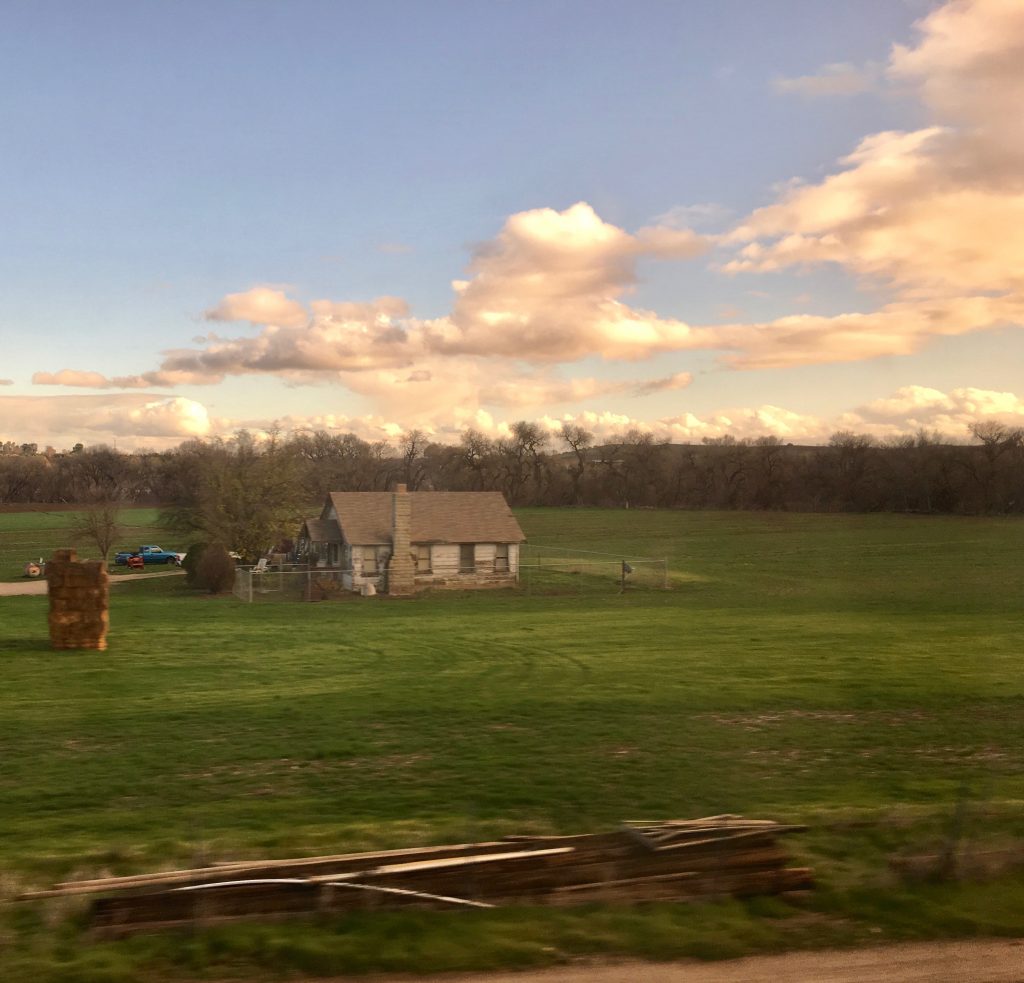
<point>132,420</point>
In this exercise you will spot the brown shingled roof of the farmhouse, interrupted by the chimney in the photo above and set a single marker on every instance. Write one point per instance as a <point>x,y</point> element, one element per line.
<point>365,518</point>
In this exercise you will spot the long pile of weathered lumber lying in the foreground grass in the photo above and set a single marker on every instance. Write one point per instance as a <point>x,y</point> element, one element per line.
<point>678,861</point>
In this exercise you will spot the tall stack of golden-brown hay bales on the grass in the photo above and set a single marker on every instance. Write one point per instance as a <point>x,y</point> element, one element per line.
<point>79,602</point>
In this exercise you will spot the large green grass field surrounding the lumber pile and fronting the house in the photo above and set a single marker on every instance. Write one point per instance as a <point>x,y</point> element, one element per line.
<point>860,673</point>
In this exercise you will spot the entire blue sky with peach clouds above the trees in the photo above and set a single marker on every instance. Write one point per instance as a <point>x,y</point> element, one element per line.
<point>698,219</point>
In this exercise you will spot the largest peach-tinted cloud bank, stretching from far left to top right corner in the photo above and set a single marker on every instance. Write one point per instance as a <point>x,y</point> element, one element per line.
<point>931,221</point>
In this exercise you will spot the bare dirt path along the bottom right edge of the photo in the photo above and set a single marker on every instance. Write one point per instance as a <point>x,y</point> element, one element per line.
<point>968,962</point>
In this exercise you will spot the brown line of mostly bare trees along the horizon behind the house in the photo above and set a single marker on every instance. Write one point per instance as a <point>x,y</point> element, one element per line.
<point>219,483</point>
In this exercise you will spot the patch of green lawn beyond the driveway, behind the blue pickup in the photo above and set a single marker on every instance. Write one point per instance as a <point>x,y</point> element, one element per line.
<point>29,536</point>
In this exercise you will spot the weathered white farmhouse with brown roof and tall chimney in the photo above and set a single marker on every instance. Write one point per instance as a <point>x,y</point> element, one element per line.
<point>402,542</point>
